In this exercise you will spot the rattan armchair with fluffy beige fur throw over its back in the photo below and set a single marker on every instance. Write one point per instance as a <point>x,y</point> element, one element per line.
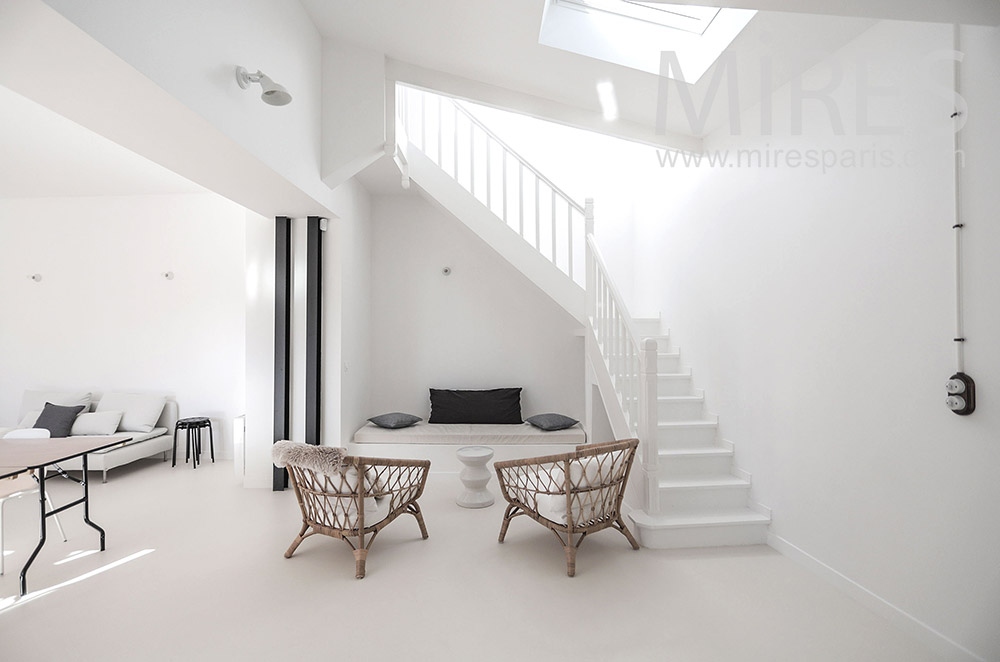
<point>335,503</point>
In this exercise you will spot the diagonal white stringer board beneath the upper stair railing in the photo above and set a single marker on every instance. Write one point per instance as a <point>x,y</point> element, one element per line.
<point>440,189</point>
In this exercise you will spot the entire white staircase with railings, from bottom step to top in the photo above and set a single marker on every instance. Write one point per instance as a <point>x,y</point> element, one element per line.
<point>691,493</point>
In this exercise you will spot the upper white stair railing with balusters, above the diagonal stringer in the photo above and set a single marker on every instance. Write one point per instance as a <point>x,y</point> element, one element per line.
<point>514,190</point>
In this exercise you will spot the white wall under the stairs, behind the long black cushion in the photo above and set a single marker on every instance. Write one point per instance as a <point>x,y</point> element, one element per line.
<point>483,326</point>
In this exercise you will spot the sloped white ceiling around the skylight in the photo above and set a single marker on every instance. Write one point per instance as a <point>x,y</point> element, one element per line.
<point>497,43</point>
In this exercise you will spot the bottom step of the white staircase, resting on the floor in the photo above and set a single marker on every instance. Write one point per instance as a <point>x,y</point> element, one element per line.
<point>721,529</point>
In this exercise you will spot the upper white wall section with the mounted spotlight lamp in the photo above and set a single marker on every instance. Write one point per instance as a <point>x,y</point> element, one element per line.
<point>191,48</point>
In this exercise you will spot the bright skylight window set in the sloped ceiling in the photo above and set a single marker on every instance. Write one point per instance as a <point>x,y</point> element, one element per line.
<point>635,34</point>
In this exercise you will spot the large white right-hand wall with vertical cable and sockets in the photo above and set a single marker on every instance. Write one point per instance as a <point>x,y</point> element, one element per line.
<point>818,311</point>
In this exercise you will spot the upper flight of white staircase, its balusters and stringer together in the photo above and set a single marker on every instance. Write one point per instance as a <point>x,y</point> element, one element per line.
<point>462,166</point>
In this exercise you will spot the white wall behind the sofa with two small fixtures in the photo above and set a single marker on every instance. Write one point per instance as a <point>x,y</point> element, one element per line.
<point>103,318</point>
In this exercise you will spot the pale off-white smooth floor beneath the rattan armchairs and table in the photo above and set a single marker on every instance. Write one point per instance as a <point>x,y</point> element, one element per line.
<point>194,570</point>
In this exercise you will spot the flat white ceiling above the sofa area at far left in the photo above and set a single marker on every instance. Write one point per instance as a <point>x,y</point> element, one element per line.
<point>43,154</point>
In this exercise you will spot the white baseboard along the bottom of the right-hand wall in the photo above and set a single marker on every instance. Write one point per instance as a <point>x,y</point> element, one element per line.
<point>940,643</point>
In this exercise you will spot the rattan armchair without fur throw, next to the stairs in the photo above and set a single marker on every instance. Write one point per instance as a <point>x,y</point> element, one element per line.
<point>573,494</point>
